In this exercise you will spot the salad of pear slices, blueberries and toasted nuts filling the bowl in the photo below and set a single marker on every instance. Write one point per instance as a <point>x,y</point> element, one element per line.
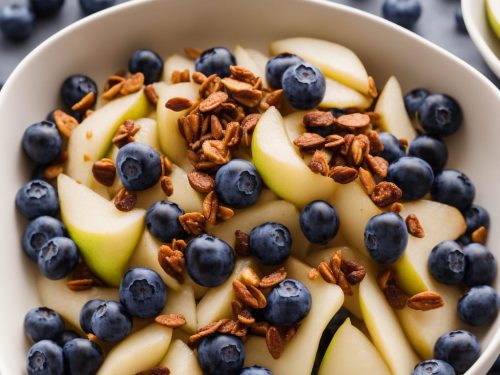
<point>228,212</point>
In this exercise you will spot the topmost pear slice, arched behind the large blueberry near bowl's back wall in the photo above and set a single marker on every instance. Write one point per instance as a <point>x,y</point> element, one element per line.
<point>334,60</point>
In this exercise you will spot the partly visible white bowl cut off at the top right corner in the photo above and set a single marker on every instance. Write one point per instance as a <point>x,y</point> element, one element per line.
<point>487,43</point>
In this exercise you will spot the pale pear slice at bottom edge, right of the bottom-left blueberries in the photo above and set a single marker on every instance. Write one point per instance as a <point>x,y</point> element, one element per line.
<point>140,351</point>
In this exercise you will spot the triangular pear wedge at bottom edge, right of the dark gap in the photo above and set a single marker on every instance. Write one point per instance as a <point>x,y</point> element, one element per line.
<point>340,358</point>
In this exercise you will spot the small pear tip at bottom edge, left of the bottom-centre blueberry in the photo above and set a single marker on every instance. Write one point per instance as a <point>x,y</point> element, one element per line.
<point>181,360</point>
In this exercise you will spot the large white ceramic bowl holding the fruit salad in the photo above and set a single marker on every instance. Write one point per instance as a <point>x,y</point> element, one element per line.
<point>102,43</point>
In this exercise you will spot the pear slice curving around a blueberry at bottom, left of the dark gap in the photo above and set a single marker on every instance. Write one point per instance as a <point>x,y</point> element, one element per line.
<point>299,353</point>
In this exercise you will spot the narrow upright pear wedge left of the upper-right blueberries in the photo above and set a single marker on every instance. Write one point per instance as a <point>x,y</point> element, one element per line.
<point>391,108</point>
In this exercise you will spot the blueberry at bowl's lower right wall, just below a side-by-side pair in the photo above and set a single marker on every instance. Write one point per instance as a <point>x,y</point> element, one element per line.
<point>479,306</point>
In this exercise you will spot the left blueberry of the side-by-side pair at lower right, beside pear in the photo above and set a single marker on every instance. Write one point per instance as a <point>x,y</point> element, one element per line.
<point>446,262</point>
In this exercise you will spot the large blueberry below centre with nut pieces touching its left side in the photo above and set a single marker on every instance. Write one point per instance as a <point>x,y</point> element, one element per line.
<point>209,260</point>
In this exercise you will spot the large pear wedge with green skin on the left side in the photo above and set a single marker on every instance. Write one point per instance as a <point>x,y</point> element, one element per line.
<point>105,236</point>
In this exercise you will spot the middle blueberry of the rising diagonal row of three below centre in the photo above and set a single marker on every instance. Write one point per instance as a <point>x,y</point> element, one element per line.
<point>270,243</point>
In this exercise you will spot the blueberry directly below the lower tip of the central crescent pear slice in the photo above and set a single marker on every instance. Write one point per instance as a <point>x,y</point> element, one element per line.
<point>319,222</point>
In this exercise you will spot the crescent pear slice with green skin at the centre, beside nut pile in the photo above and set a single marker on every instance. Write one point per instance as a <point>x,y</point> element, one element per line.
<point>281,167</point>
